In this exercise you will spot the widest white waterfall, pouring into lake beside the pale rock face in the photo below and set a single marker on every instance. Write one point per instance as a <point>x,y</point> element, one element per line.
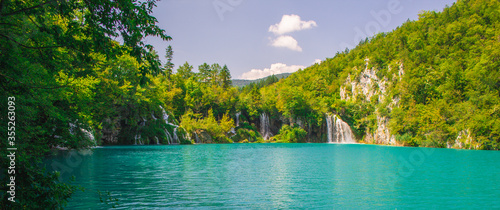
<point>339,131</point>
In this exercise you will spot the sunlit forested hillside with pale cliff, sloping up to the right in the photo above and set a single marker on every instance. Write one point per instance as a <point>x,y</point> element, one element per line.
<point>432,82</point>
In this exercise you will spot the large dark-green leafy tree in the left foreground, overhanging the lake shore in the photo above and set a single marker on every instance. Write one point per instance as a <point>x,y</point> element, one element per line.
<point>53,49</point>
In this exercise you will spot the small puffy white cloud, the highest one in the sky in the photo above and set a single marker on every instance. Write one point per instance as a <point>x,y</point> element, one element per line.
<point>291,23</point>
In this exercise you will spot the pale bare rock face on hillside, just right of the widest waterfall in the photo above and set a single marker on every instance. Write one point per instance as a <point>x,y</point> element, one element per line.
<point>366,86</point>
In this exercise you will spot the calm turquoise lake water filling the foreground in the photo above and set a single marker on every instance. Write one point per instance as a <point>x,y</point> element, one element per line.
<point>269,176</point>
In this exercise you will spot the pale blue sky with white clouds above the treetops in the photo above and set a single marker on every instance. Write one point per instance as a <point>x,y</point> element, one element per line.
<point>256,38</point>
